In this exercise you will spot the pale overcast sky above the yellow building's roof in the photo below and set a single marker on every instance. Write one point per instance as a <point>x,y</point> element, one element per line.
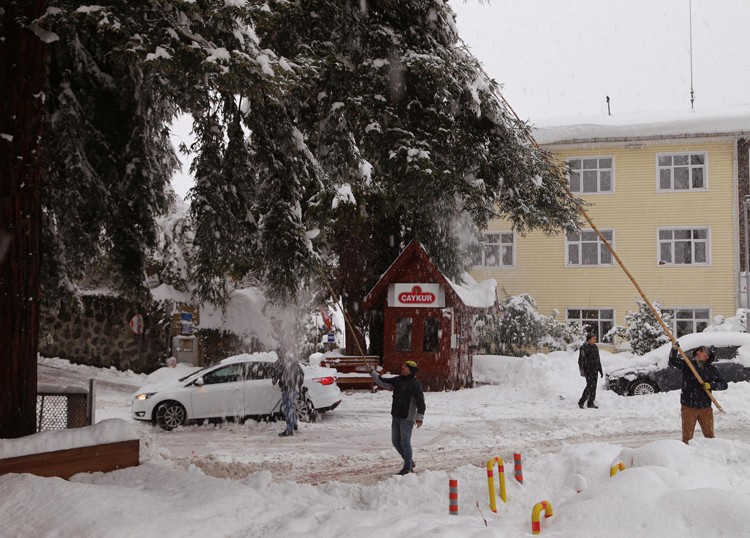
<point>560,58</point>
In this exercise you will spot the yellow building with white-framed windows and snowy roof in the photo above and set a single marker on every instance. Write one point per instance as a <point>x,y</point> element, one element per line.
<point>667,196</point>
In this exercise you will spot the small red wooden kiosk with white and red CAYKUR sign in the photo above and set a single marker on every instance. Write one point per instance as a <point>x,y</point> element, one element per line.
<point>428,319</point>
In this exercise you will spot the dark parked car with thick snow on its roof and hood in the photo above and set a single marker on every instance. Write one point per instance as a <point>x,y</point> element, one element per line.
<point>651,373</point>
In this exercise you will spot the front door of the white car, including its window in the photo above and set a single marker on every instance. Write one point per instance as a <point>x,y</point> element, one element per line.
<point>221,394</point>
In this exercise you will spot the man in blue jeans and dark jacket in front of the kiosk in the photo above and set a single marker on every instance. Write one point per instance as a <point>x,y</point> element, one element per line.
<point>407,408</point>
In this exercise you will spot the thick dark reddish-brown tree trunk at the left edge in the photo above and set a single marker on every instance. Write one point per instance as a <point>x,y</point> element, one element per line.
<point>22,76</point>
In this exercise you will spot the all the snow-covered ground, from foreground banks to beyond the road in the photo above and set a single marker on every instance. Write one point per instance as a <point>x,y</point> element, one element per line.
<point>335,478</point>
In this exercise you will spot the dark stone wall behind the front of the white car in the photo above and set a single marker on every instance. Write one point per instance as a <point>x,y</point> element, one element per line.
<point>99,334</point>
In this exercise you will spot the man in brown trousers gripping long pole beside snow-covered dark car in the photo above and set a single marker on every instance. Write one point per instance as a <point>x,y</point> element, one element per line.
<point>694,400</point>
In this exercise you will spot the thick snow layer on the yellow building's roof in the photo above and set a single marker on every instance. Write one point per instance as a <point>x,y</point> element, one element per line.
<point>729,121</point>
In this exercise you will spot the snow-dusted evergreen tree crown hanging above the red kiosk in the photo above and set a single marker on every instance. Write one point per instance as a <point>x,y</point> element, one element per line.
<point>398,112</point>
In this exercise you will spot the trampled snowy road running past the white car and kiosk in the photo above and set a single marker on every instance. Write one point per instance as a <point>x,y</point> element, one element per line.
<point>534,413</point>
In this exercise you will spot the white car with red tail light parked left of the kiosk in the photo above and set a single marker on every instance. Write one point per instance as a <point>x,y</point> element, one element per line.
<point>238,387</point>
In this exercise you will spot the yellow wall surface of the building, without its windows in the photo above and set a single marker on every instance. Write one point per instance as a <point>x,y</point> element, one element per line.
<point>634,212</point>
